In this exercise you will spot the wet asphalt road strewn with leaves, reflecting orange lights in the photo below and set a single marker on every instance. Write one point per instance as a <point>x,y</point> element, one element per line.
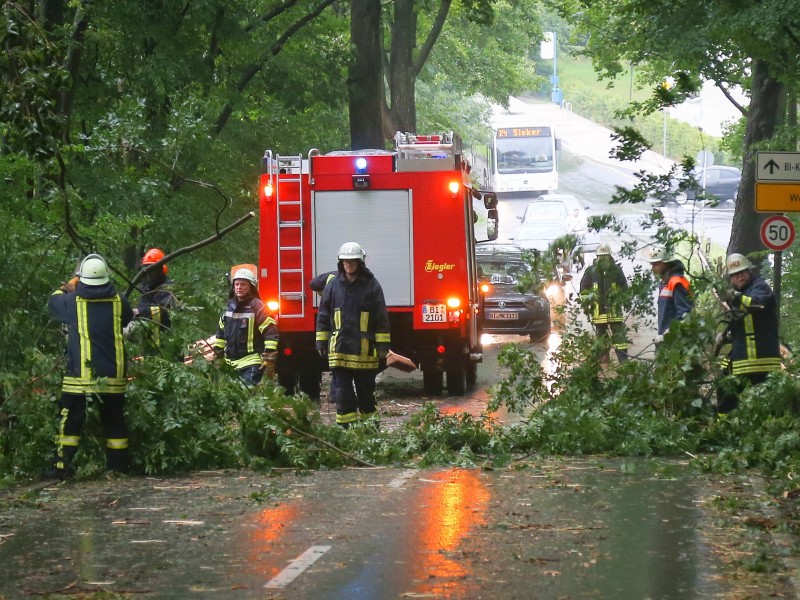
<point>544,528</point>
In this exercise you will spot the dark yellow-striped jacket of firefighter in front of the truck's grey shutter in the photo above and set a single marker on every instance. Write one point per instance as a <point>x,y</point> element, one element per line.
<point>353,321</point>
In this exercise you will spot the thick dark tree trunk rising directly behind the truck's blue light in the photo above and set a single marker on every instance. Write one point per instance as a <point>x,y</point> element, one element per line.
<point>365,79</point>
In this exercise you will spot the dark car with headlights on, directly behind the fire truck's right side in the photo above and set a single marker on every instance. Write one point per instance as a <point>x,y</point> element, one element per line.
<point>506,309</point>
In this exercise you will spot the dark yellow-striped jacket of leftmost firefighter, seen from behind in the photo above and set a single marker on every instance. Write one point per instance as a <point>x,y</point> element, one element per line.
<point>95,317</point>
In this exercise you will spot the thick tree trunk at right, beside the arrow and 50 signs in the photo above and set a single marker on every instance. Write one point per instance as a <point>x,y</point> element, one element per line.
<point>763,115</point>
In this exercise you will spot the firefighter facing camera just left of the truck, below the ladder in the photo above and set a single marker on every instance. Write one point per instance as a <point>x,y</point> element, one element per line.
<point>248,334</point>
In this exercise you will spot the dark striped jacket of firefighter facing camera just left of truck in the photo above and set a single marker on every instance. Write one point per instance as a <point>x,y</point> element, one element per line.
<point>246,330</point>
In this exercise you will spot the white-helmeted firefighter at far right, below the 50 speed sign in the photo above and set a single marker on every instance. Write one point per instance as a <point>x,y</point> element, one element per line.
<point>755,349</point>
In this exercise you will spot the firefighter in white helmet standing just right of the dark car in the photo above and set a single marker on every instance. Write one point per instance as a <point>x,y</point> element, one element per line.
<point>601,292</point>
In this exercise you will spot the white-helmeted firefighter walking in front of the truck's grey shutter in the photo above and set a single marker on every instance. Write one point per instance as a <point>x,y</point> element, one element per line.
<point>353,334</point>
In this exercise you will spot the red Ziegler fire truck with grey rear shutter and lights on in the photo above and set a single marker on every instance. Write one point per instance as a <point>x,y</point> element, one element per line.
<point>412,210</point>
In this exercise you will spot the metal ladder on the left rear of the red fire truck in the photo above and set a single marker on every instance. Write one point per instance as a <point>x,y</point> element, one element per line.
<point>291,250</point>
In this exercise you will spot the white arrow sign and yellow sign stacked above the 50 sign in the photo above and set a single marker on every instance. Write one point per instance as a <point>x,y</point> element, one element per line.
<point>778,181</point>
